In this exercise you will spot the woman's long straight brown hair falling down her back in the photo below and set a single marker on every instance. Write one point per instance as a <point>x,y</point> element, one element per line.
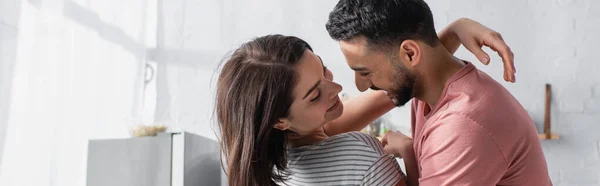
<point>254,91</point>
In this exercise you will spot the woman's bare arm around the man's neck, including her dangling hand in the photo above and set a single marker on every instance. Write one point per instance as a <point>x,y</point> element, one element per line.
<point>367,107</point>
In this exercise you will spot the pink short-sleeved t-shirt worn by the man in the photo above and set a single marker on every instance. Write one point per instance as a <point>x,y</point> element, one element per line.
<point>478,134</point>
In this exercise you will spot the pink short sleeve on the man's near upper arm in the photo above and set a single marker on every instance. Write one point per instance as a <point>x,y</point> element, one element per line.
<point>457,151</point>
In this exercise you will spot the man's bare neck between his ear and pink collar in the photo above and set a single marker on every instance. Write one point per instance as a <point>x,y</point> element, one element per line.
<point>443,66</point>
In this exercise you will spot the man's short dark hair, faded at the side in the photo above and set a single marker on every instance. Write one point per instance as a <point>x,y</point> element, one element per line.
<point>384,23</point>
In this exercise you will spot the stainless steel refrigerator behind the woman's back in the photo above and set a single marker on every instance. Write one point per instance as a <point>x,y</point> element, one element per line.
<point>168,159</point>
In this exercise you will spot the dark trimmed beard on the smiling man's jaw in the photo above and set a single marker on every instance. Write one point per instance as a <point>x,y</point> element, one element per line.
<point>402,89</point>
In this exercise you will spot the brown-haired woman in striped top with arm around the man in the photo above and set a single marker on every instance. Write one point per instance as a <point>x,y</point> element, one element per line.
<point>278,126</point>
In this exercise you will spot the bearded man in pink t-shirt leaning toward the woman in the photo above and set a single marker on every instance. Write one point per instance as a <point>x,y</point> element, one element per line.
<point>467,128</point>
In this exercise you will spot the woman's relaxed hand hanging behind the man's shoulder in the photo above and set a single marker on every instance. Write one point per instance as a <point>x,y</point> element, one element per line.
<point>474,36</point>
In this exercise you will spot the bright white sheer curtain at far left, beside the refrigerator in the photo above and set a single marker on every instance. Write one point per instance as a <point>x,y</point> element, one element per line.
<point>73,72</point>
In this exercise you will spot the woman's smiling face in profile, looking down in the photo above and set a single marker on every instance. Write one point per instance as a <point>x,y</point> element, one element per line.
<point>316,100</point>
